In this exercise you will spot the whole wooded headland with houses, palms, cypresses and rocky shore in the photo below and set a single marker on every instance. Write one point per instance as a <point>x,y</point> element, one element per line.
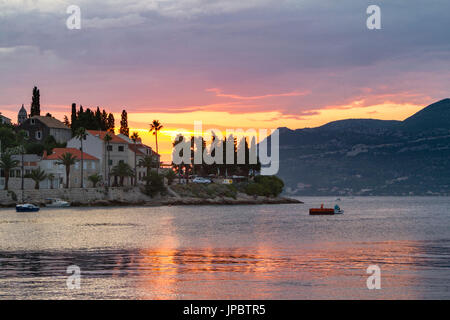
<point>86,161</point>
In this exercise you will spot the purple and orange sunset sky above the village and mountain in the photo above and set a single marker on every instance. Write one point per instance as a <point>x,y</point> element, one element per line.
<point>229,63</point>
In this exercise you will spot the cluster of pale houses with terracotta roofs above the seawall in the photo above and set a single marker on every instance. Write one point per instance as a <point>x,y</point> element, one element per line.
<point>103,152</point>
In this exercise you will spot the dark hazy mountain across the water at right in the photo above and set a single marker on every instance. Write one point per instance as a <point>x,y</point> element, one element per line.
<point>370,157</point>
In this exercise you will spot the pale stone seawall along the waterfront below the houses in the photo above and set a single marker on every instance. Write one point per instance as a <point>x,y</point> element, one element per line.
<point>75,195</point>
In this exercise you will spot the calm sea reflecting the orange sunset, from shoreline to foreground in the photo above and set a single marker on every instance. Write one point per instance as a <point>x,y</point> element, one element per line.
<point>230,252</point>
